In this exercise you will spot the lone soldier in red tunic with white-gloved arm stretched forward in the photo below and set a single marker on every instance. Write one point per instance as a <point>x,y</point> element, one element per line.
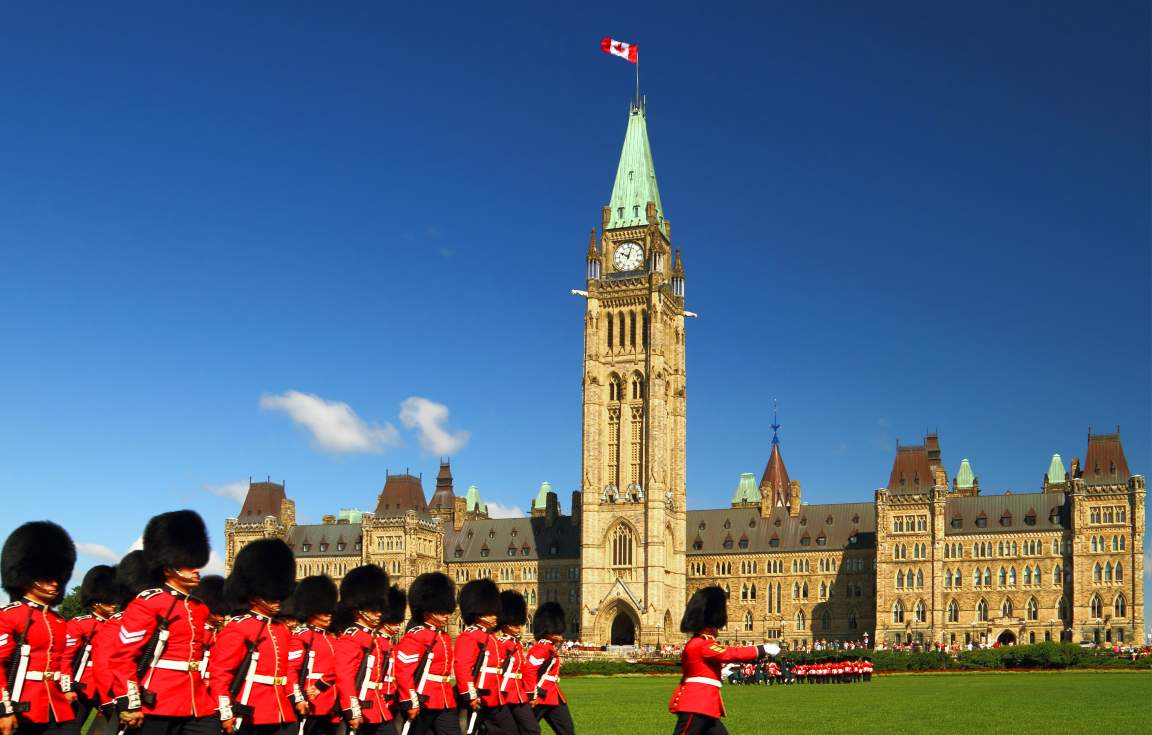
<point>696,702</point>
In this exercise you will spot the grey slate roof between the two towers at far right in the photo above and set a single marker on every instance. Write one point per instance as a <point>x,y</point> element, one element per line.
<point>1014,510</point>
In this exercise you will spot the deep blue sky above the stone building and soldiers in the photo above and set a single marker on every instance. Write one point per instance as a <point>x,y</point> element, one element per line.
<point>893,218</point>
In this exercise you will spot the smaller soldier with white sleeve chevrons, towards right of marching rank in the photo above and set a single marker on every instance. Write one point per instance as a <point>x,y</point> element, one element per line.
<point>425,658</point>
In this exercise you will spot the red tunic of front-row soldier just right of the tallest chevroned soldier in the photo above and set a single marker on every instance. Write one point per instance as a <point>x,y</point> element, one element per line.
<point>272,684</point>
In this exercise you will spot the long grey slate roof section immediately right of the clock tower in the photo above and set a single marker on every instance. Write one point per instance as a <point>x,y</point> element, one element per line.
<point>842,526</point>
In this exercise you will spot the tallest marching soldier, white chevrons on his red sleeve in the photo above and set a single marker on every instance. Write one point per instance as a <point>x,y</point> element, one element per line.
<point>156,666</point>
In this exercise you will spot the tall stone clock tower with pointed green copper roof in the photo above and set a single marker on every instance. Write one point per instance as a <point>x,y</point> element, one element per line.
<point>634,435</point>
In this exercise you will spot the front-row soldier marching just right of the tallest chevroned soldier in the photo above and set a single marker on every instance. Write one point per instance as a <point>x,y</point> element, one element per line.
<point>251,672</point>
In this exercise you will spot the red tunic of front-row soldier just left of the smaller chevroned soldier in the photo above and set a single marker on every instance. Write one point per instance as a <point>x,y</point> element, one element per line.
<point>357,643</point>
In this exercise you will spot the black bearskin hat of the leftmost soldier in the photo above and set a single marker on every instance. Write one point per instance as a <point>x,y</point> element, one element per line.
<point>40,550</point>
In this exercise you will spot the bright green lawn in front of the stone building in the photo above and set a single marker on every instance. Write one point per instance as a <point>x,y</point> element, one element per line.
<point>1071,702</point>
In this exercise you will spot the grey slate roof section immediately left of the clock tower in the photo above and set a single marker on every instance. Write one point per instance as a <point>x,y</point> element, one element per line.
<point>530,539</point>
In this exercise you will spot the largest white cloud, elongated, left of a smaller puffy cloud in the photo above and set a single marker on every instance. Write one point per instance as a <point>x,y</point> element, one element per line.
<point>335,426</point>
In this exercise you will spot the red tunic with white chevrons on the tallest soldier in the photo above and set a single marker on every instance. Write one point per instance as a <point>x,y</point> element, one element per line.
<point>177,681</point>
